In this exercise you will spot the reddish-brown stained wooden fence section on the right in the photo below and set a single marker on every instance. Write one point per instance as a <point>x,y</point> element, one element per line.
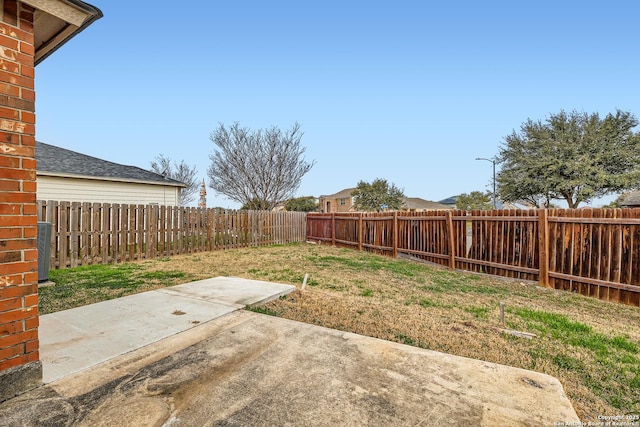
<point>594,252</point>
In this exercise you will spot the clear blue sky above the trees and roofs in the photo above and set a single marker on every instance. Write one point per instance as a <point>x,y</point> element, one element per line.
<point>408,91</point>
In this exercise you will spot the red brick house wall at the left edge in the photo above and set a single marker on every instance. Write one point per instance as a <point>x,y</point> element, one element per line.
<point>18,221</point>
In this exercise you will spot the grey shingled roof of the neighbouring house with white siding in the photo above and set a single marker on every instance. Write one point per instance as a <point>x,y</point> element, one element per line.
<point>57,161</point>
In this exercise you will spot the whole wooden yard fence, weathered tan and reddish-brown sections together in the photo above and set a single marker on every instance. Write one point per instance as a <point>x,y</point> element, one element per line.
<point>591,251</point>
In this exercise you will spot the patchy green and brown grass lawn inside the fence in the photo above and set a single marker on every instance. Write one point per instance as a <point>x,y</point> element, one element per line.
<point>592,346</point>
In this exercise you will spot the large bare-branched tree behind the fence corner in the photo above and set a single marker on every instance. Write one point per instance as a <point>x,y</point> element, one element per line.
<point>257,168</point>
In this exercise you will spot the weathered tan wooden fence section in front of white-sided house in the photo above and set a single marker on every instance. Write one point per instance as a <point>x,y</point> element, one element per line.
<point>93,233</point>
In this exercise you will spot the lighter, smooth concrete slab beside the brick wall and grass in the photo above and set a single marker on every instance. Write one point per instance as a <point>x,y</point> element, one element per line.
<point>73,340</point>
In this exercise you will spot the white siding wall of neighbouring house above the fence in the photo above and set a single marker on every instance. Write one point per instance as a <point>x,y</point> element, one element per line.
<point>88,190</point>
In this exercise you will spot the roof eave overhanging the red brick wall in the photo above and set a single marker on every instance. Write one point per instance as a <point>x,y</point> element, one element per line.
<point>58,21</point>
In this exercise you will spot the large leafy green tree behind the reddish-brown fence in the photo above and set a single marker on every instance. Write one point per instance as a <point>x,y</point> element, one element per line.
<point>573,156</point>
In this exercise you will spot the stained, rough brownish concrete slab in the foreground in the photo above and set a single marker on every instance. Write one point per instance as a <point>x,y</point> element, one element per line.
<point>248,369</point>
